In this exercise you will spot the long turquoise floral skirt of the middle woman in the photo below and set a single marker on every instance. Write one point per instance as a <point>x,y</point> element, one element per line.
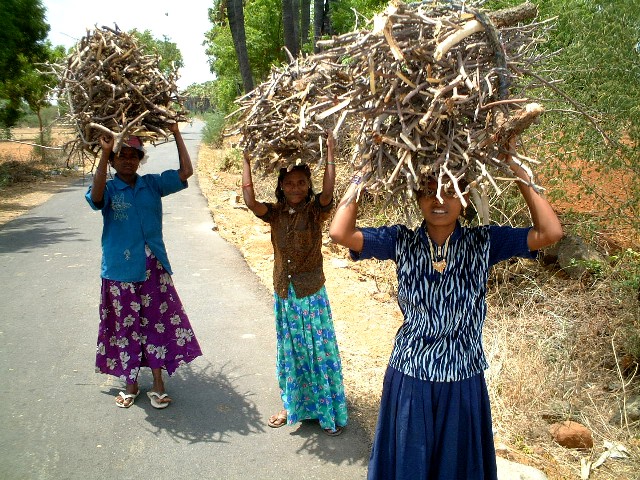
<point>308,361</point>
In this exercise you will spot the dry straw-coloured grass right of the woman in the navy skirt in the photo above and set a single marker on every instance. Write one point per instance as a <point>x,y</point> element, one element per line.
<point>550,342</point>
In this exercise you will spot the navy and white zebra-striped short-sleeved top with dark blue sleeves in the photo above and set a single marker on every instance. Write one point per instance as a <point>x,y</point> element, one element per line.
<point>441,337</point>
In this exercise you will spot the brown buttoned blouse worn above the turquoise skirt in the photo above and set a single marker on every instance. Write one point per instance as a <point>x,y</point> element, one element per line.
<point>297,246</point>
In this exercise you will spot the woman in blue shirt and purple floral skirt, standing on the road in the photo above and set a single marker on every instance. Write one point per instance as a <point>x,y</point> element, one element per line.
<point>142,320</point>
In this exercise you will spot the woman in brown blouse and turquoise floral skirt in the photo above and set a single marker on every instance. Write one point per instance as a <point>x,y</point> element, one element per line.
<point>308,361</point>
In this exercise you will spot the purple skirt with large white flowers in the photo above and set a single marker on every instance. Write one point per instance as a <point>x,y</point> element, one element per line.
<point>143,324</point>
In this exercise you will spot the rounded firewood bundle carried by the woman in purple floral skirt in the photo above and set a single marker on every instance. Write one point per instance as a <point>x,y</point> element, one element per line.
<point>112,87</point>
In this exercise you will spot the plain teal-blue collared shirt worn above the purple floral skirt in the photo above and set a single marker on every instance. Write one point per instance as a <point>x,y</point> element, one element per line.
<point>132,217</point>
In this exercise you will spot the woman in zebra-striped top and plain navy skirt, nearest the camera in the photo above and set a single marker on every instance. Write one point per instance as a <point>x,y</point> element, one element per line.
<point>435,418</point>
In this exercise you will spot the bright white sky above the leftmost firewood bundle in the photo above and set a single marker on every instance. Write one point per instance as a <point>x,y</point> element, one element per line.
<point>70,19</point>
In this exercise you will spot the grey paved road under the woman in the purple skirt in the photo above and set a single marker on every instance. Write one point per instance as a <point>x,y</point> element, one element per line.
<point>58,418</point>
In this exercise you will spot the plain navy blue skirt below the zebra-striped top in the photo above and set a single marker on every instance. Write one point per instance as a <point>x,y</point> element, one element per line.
<point>433,430</point>
